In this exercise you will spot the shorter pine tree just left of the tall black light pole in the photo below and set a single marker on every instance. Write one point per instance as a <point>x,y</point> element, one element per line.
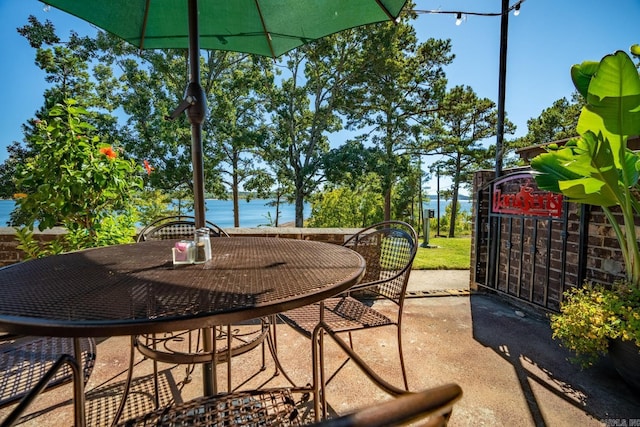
<point>463,122</point>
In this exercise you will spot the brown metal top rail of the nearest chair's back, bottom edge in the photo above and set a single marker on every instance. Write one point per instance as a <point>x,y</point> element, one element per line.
<point>432,407</point>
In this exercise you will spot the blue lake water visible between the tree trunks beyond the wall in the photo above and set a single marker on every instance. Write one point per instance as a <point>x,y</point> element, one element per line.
<point>252,214</point>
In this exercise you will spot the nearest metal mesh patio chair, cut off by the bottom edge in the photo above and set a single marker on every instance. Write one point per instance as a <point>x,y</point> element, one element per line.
<point>291,406</point>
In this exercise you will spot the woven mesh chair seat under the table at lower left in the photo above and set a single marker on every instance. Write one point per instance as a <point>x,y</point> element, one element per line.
<point>25,360</point>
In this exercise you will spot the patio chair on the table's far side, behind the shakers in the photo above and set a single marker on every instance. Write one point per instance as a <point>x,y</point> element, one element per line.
<point>184,347</point>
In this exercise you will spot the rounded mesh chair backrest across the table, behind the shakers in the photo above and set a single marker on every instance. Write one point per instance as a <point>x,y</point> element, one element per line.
<point>176,227</point>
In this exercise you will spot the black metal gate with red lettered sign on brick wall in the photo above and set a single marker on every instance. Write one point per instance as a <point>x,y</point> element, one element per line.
<point>522,234</point>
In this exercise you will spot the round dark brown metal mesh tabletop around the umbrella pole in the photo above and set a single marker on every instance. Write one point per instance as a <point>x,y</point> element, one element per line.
<point>135,288</point>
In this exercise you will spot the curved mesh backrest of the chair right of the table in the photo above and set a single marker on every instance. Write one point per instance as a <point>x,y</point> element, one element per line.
<point>389,249</point>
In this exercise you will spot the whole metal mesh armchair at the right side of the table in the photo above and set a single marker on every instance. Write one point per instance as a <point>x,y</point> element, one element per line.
<point>389,249</point>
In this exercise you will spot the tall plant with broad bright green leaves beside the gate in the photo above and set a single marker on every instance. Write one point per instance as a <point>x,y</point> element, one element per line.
<point>598,168</point>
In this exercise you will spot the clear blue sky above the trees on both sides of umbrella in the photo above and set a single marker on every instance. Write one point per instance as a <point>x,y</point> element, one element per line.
<point>544,41</point>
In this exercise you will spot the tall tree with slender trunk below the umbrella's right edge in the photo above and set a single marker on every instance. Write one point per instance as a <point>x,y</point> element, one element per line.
<point>304,109</point>
